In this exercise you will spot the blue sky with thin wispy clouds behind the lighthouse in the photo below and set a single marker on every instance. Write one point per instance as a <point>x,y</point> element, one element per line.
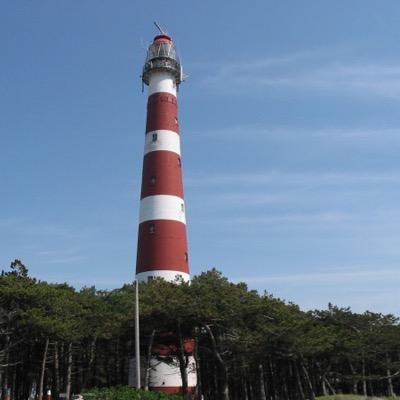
<point>290,137</point>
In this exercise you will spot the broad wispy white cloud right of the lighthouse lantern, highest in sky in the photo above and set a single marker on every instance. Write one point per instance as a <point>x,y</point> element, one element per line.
<point>309,71</point>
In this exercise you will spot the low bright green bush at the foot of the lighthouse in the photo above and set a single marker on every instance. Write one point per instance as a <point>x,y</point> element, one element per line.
<point>125,393</point>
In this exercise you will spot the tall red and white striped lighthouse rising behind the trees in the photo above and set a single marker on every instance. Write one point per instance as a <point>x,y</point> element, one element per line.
<point>162,243</point>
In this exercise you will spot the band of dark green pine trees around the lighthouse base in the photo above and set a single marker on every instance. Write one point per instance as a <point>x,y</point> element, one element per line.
<point>238,332</point>
